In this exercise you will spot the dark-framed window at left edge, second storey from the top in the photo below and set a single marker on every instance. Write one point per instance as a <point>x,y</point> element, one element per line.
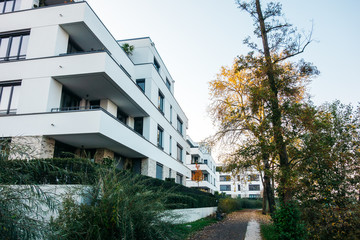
<point>13,46</point>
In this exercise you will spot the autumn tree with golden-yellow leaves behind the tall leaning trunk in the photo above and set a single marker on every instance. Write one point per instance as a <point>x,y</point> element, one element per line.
<point>241,108</point>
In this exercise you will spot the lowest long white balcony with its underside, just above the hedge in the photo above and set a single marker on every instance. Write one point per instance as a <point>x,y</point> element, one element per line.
<point>90,128</point>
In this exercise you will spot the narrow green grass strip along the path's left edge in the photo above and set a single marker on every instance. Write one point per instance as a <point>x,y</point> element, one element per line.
<point>198,225</point>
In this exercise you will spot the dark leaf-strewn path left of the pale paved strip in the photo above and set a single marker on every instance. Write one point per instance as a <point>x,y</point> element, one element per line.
<point>232,228</point>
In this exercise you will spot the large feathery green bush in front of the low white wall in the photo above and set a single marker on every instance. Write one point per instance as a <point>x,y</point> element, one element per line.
<point>119,206</point>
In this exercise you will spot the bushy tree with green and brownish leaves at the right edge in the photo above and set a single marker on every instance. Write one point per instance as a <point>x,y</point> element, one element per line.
<point>329,186</point>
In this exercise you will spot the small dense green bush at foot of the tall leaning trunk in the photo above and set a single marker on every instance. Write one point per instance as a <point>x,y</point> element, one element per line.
<point>287,222</point>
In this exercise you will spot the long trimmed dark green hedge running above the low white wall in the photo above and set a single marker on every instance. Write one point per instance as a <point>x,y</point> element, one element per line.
<point>83,171</point>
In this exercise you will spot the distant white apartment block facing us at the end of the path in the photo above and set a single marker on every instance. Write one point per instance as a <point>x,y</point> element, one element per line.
<point>245,184</point>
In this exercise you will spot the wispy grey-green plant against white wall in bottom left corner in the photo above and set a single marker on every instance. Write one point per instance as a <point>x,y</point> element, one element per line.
<point>23,208</point>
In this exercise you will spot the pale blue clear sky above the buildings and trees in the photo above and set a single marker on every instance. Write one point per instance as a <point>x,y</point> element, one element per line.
<point>196,37</point>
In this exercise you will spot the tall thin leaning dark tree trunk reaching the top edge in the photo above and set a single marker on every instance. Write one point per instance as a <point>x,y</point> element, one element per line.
<point>285,193</point>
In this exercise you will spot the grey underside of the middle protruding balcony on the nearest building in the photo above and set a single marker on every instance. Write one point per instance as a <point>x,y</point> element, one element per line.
<point>98,86</point>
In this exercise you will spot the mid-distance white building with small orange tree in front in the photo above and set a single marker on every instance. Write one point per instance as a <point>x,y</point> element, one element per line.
<point>200,155</point>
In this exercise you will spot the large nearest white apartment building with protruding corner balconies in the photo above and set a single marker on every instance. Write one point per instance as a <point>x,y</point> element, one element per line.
<point>67,86</point>
